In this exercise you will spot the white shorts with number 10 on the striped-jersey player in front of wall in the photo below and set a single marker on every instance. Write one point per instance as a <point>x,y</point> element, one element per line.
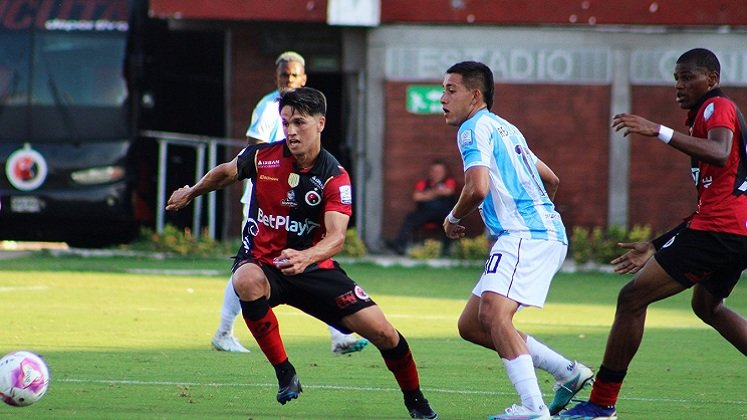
<point>521,269</point>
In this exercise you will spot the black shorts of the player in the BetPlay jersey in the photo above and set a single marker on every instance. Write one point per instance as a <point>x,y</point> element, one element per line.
<point>326,294</point>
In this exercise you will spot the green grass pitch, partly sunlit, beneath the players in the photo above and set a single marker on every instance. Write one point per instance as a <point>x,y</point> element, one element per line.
<point>124,341</point>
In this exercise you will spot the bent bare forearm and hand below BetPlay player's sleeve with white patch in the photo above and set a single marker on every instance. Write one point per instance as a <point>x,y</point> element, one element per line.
<point>336,225</point>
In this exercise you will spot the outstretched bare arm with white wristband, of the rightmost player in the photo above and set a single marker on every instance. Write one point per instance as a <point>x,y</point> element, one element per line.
<point>715,151</point>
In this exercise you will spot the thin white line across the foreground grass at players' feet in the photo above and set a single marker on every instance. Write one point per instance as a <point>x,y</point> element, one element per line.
<point>375,389</point>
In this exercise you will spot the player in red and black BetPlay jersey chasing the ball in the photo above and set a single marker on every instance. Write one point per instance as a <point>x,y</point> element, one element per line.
<point>297,221</point>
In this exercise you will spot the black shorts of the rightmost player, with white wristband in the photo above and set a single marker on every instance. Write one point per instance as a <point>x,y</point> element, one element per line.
<point>714,260</point>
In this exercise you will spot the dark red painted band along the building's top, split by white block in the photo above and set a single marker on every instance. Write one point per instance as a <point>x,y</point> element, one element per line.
<point>532,12</point>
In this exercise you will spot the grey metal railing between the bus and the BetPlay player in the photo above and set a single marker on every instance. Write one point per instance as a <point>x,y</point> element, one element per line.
<point>200,144</point>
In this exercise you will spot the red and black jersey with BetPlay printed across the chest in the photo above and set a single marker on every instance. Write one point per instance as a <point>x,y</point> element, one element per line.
<point>288,203</point>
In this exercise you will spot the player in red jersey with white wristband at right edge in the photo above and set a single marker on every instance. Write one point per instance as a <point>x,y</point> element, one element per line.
<point>707,252</point>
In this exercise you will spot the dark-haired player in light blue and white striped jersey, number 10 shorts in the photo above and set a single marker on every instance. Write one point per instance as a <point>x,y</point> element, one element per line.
<point>513,191</point>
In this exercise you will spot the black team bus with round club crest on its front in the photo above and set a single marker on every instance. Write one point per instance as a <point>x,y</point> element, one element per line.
<point>66,136</point>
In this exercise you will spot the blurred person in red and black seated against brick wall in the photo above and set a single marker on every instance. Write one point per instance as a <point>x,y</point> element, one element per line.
<point>434,198</point>
